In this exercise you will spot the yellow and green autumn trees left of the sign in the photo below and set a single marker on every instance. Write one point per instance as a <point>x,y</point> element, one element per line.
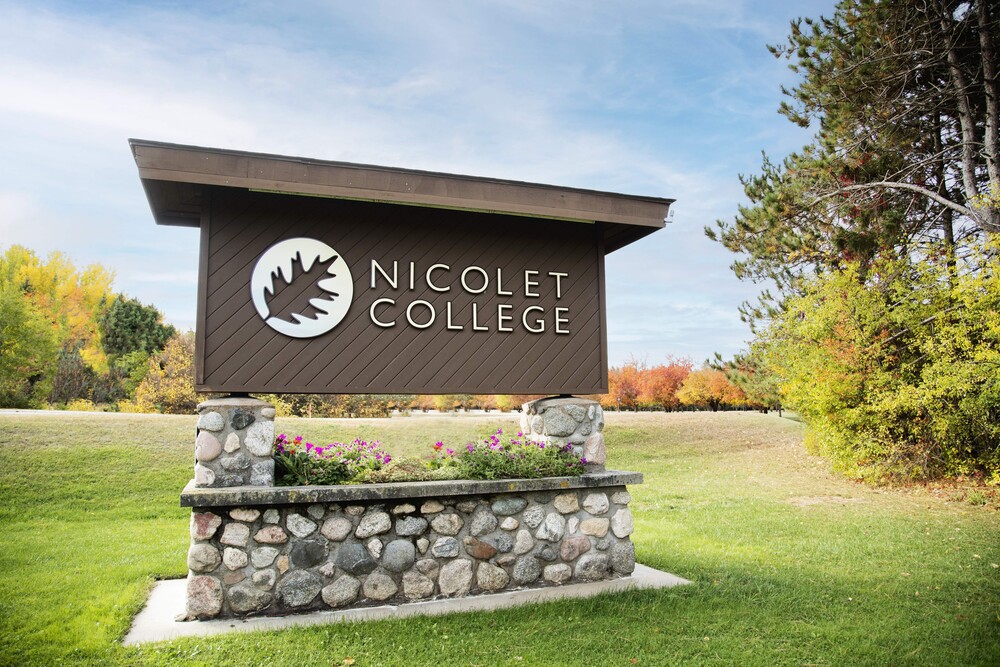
<point>67,339</point>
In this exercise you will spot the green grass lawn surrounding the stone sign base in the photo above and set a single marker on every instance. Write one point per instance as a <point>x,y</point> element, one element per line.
<point>791,566</point>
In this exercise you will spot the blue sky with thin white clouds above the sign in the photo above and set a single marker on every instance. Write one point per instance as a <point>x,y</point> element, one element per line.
<point>670,99</point>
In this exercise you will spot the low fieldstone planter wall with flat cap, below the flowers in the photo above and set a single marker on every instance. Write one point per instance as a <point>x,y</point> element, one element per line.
<point>292,550</point>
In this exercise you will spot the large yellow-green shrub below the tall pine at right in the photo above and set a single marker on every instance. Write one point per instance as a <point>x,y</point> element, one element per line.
<point>894,368</point>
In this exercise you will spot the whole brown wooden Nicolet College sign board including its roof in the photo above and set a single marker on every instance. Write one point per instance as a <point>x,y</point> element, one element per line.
<point>335,294</point>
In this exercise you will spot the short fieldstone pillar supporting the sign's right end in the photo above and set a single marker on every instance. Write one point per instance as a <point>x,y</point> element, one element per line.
<point>578,421</point>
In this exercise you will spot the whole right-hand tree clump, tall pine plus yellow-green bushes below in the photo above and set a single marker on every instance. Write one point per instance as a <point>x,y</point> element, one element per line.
<point>879,239</point>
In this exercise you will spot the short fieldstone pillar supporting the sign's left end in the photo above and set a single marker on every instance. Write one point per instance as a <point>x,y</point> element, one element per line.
<point>234,443</point>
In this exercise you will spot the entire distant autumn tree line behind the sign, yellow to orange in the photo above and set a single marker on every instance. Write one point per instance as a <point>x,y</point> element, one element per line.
<point>68,340</point>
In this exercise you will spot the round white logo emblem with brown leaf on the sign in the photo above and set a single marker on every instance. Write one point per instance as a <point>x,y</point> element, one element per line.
<point>325,299</point>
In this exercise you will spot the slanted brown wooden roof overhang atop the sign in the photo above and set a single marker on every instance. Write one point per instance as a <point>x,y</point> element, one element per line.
<point>174,177</point>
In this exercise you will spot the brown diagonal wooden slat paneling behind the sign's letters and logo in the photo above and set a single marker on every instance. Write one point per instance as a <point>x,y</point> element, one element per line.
<point>241,353</point>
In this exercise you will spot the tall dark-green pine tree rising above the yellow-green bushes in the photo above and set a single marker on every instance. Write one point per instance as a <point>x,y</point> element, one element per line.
<point>904,98</point>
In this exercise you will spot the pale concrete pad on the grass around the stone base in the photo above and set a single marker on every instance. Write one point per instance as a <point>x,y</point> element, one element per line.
<point>156,621</point>
